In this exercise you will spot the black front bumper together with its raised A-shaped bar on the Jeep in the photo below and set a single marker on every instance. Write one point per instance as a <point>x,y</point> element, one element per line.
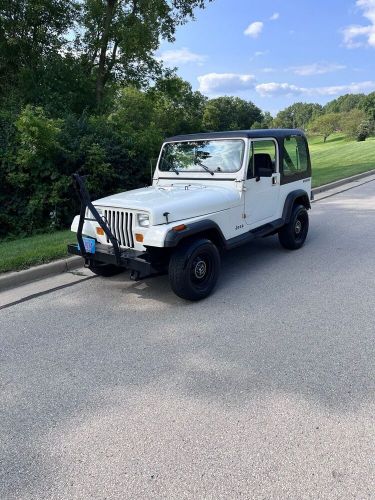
<point>133,260</point>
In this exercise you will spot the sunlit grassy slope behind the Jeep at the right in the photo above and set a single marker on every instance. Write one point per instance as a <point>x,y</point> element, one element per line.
<point>340,157</point>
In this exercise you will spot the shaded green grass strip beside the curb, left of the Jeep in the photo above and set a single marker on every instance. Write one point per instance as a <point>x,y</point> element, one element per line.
<point>34,250</point>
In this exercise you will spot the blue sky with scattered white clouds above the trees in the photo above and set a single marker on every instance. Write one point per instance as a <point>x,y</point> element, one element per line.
<point>276,52</point>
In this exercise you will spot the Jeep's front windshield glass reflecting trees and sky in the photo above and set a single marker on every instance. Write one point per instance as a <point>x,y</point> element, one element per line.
<point>202,156</point>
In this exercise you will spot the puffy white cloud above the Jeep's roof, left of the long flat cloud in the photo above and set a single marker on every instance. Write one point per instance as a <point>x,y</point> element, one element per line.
<point>221,83</point>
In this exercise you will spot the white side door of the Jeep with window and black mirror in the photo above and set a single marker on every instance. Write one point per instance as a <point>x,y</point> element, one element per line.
<point>262,183</point>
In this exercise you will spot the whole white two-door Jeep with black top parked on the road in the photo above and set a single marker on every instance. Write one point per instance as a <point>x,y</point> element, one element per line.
<point>210,192</point>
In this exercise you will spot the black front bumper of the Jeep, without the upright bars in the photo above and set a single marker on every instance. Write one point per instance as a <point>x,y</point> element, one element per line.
<point>132,260</point>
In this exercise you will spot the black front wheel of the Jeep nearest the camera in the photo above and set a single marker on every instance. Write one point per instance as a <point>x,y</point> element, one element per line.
<point>194,269</point>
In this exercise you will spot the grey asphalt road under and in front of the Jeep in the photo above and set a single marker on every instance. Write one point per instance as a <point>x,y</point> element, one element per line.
<point>114,389</point>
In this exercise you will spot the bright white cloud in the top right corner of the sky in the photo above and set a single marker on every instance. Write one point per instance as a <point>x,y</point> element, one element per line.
<point>358,35</point>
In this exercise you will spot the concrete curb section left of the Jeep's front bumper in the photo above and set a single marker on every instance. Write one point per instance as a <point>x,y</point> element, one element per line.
<point>18,278</point>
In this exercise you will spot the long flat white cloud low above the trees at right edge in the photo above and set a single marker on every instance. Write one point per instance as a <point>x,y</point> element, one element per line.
<point>285,89</point>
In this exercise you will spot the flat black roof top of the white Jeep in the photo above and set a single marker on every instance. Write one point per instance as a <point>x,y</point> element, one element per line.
<point>277,133</point>
